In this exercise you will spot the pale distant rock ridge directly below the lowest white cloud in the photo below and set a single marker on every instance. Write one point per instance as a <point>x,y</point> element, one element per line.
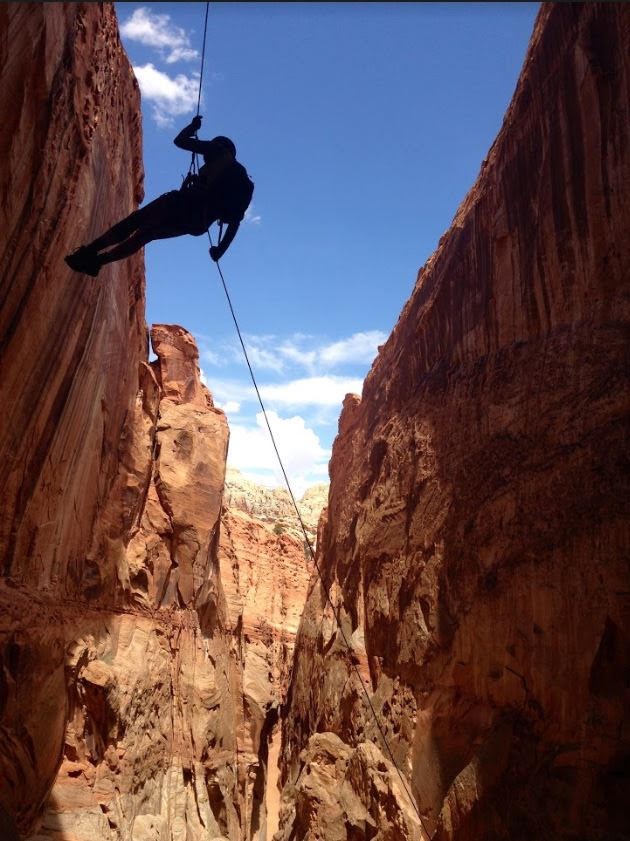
<point>273,506</point>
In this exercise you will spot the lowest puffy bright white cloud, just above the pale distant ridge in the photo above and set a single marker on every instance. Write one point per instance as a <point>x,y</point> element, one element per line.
<point>304,459</point>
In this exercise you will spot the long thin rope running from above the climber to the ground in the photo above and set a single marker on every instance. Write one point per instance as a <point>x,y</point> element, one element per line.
<point>335,610</point>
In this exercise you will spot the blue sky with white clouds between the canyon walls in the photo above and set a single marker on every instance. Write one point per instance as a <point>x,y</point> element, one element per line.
<point>363,125</point>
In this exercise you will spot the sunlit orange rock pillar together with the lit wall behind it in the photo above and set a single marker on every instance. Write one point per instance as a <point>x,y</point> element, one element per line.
<point>174,699</point>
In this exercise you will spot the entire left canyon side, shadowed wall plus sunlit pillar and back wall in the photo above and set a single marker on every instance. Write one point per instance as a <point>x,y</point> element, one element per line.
<point>138,693</point>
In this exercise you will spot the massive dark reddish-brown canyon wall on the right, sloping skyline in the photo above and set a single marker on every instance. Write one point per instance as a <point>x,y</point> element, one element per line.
<point>477,533</point>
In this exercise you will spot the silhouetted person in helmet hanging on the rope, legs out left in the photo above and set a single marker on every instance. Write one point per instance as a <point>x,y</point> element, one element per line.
<point>221,191</point>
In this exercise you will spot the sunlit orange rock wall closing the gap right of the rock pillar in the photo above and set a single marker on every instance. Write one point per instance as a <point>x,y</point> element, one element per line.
<point>265,578</point>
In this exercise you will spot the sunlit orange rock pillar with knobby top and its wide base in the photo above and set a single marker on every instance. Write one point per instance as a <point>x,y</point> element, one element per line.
<point>149,749</point>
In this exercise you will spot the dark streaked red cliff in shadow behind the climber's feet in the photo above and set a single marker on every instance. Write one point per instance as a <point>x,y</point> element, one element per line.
<point>72,352</point>
